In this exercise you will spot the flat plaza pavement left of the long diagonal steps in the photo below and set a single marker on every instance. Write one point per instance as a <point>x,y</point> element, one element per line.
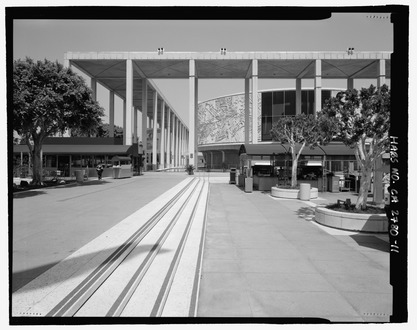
<point>50,224</point>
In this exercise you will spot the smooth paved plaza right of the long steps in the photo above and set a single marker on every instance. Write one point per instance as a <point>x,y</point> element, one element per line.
<point>266,257</point>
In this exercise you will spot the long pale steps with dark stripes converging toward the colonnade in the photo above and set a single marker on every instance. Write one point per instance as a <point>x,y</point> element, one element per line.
<point>147,265</point>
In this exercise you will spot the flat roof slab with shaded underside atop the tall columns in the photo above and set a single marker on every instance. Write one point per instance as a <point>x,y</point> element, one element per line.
<point>109,68</point>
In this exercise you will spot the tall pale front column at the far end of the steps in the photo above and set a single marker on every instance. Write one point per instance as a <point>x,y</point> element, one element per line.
<point>191,114</point>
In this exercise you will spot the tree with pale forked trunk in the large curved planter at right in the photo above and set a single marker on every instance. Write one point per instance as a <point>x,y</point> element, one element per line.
<point>364,120</point>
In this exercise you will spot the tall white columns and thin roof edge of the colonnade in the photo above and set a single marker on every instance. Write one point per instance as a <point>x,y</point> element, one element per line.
<point>171,139</point>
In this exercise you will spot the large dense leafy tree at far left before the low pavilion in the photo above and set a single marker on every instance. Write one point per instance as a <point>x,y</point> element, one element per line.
<point>49,99</point>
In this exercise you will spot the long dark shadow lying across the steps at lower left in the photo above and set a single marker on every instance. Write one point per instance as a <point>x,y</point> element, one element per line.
<point>21,278</point>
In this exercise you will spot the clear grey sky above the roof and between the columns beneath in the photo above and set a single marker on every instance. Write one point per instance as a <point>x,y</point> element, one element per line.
<point>50,39</point>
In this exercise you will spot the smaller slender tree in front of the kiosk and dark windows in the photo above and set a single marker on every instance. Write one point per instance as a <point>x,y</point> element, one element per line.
<point>300,131</point>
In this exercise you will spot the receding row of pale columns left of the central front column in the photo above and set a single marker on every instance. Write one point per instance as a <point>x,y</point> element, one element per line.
<point>162,133</point>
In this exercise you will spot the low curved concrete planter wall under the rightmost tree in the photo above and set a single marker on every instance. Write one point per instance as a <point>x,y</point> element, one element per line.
<point>373,223</point>
